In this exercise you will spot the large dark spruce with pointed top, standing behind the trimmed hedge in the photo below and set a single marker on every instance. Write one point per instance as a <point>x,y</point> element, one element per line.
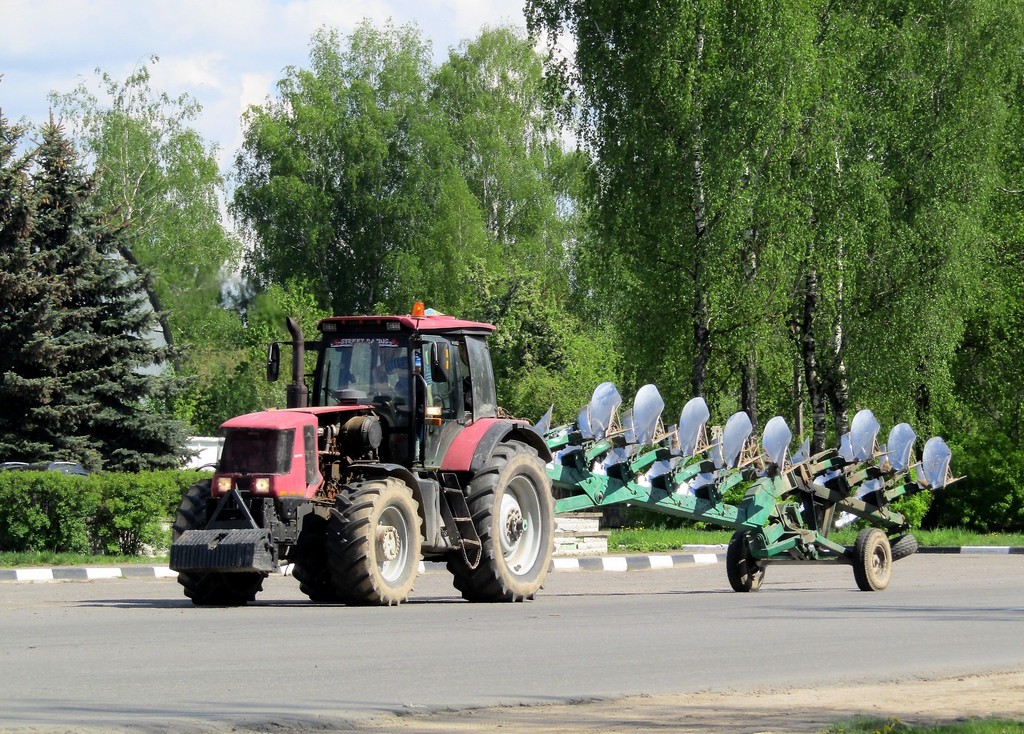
<point>83,382</point>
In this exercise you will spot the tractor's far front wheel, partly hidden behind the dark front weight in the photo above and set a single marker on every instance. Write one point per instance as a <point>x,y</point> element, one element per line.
<point>211,588</point>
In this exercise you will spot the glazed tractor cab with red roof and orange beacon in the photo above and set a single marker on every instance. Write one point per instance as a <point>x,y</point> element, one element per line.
<point>426,376</point>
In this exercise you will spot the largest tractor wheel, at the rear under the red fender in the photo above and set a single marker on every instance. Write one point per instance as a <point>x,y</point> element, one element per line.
<point>513,508</point>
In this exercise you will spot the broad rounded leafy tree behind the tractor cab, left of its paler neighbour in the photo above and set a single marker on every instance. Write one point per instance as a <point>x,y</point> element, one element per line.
<point>339,175</point>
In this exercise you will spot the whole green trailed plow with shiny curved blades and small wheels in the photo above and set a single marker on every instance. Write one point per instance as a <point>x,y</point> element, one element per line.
<point>783,507</point>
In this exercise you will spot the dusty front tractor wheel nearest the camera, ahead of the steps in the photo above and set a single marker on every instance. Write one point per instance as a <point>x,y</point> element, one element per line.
<point>373,543</point>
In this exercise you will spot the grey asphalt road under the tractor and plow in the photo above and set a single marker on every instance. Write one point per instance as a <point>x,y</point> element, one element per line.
<point>135,655</point>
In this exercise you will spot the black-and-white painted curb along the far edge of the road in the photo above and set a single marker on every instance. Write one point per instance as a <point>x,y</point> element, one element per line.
<point>587,564</point>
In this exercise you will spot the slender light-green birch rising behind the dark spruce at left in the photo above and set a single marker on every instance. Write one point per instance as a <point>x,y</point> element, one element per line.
<point>160,180</point>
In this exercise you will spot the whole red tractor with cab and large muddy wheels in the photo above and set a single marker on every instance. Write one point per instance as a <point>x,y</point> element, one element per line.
<point>399,455</point>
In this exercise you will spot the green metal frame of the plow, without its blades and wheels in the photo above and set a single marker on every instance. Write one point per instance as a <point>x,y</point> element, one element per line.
<point>787,514</point>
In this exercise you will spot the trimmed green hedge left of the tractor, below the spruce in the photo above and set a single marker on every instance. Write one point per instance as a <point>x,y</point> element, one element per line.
<point>124,514</point>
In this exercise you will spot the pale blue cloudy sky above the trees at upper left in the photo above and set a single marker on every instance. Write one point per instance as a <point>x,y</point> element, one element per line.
<point>228,55</point>
